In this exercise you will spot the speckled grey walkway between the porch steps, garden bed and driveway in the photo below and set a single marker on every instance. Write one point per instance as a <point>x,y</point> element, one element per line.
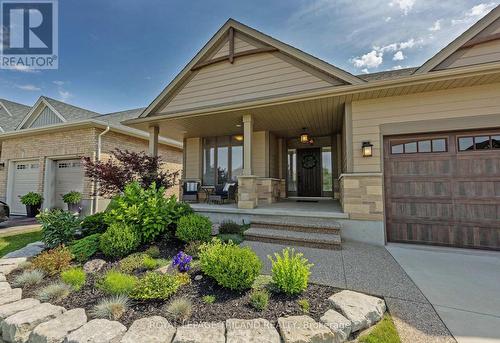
<point>371,269</point>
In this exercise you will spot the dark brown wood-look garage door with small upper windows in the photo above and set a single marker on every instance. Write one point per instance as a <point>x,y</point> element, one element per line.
<point>444,189</point>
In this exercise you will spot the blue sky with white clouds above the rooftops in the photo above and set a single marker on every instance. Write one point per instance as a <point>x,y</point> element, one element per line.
<point>120,54</point>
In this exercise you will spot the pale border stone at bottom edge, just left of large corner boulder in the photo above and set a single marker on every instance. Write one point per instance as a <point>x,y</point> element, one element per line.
<point>304,329</point>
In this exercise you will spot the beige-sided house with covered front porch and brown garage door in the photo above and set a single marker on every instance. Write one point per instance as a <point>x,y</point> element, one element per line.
<point>433,174</point>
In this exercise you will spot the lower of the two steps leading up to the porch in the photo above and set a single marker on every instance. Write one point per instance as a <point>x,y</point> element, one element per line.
<point>288,237</point>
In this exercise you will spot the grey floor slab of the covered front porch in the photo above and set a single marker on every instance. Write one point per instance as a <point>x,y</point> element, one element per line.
<point>320,208</point>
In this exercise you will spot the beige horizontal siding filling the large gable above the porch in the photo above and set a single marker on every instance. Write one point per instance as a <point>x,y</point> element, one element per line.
<point>249,77</point>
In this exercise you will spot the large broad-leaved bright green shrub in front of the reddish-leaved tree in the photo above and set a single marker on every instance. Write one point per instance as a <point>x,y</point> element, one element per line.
<point>146,211</point>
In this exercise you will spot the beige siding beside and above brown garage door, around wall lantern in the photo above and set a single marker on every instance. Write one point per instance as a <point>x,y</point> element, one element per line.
<point>368,115</point>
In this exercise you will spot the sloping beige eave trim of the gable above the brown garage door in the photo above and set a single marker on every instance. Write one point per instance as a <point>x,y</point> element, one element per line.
<point>464,38</point>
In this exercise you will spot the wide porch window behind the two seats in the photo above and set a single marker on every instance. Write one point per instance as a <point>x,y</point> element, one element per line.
<point>222,159</point>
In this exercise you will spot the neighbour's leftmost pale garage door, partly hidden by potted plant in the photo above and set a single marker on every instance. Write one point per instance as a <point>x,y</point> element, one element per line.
<point>24,180</point>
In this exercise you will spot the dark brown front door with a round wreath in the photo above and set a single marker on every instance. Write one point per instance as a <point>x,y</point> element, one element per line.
<point>309,172</point>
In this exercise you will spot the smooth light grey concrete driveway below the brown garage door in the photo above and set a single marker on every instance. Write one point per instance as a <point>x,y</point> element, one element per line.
<point>463,286</point>
